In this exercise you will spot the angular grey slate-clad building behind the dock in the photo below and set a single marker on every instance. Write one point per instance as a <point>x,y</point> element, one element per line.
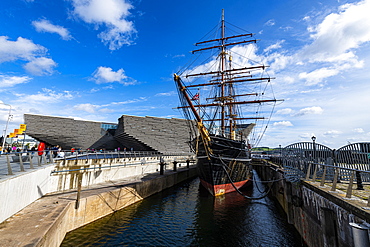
<point>131,132</point>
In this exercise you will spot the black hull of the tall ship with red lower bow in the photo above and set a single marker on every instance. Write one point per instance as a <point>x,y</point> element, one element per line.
<point>225,168</point>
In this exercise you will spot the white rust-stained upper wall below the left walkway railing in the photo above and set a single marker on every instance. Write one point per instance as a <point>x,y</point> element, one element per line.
<point>19,191</point>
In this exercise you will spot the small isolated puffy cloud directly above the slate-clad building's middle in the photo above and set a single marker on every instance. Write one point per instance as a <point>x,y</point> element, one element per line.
<point>107,75</point>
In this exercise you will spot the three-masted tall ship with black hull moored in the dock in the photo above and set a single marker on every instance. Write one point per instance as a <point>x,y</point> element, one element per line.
<point>224,95</point>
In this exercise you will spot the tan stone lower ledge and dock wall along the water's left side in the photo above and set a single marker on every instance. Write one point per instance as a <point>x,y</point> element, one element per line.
<point>47,220</point>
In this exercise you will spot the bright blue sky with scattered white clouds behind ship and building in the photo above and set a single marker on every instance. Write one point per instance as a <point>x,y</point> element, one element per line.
<point>99,59</point>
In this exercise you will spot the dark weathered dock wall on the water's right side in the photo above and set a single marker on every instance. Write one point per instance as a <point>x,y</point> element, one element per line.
<point>321,217</point>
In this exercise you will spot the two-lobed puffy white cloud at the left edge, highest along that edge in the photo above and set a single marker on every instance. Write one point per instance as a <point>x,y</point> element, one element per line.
<point>26,50</point>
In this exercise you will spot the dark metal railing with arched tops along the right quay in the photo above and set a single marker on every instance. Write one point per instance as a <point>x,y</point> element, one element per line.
<point>316,162</point>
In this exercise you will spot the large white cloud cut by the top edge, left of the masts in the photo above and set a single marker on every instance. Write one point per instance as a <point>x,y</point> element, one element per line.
<point>110,13</point>
